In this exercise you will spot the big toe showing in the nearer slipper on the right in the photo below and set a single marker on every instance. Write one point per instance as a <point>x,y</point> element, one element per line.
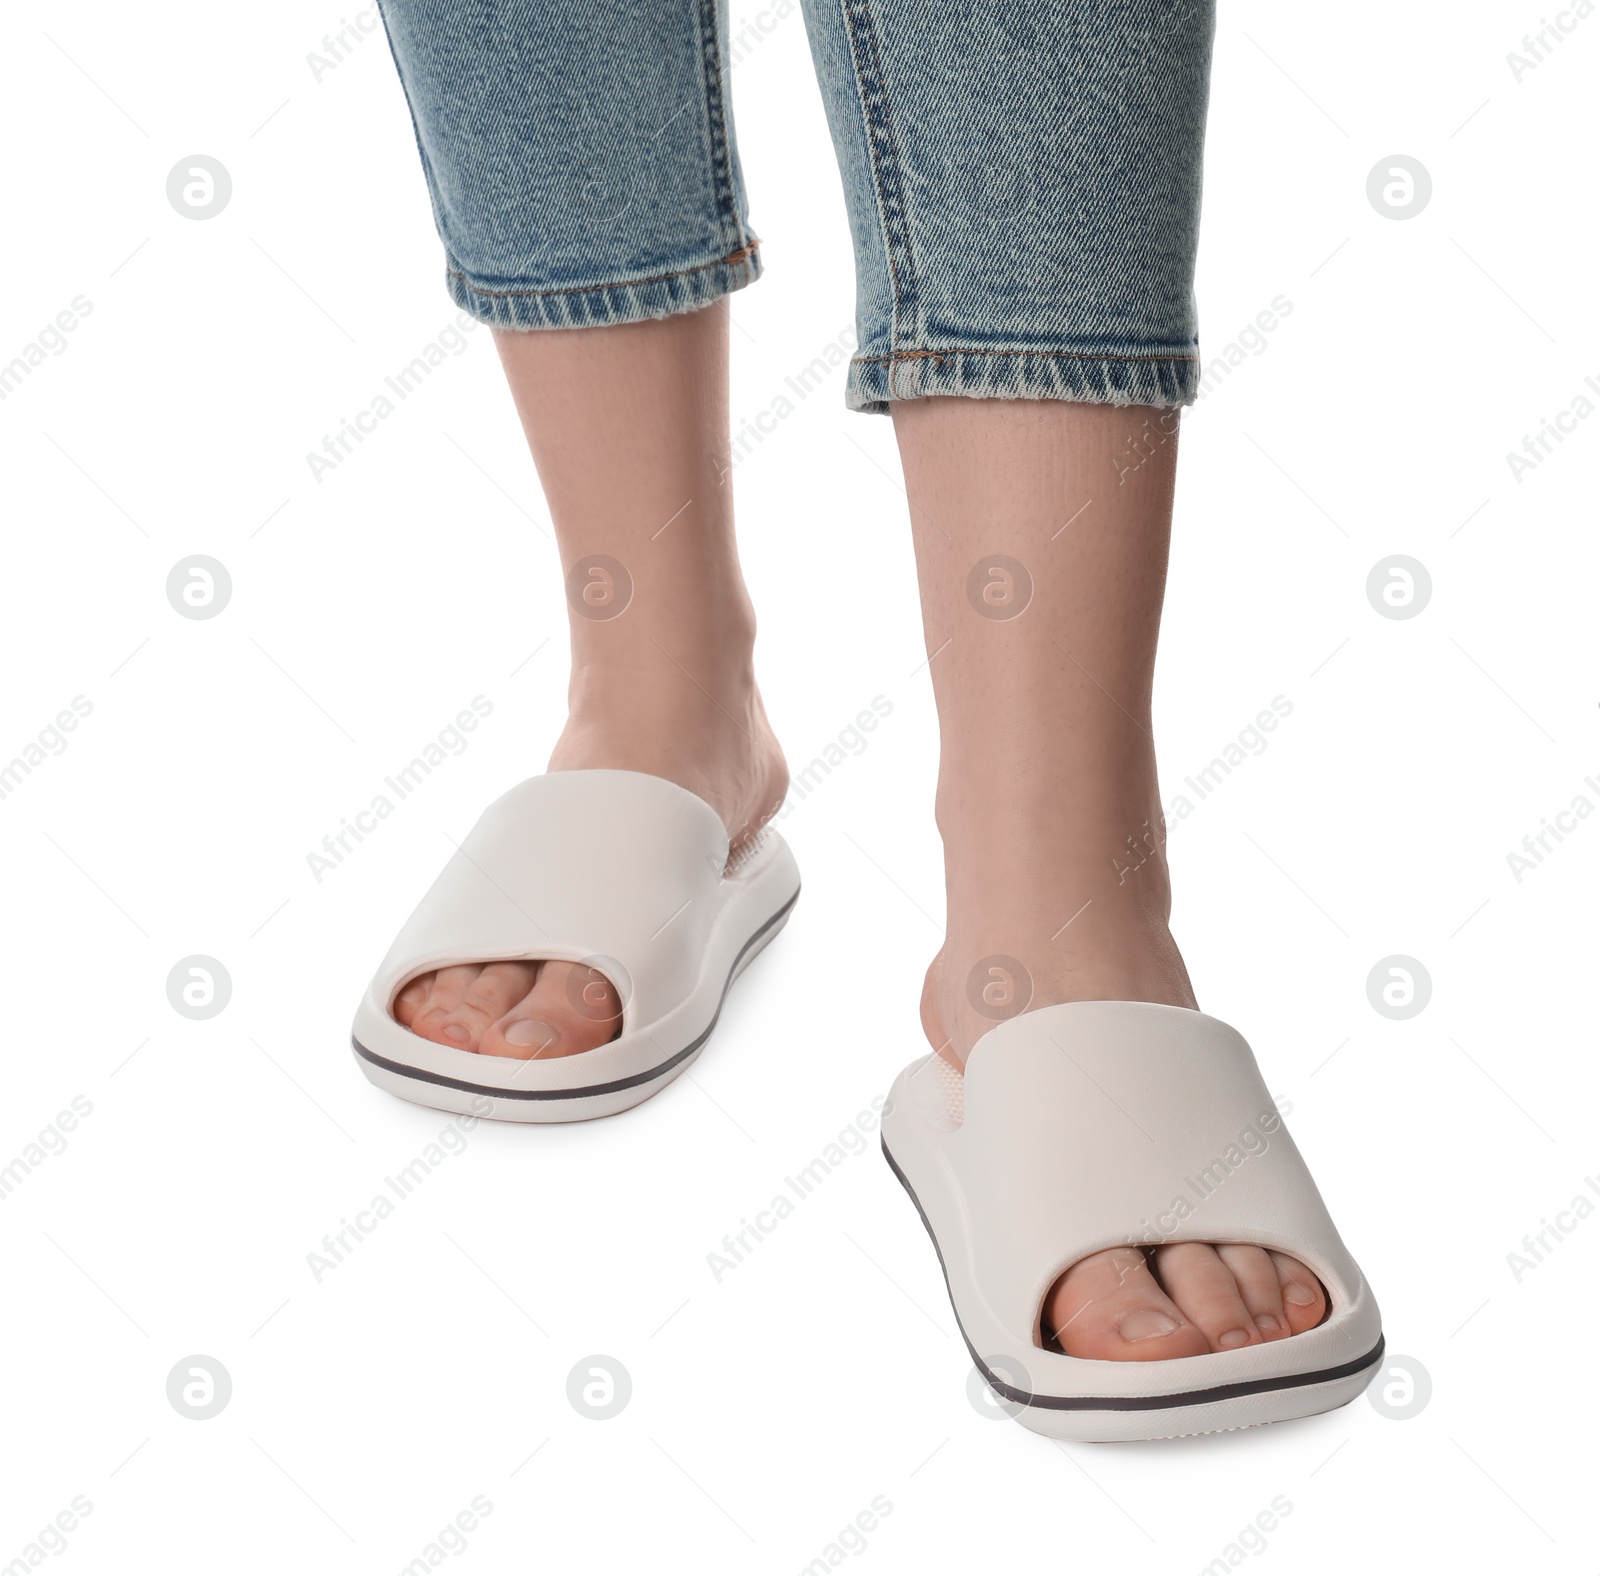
<point>1111,1306</point>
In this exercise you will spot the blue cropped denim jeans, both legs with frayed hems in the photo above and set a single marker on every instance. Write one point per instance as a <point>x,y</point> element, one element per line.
<point>1023,178</point>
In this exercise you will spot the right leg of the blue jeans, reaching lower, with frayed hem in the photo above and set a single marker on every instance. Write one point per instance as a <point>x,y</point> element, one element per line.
<point>1023,185</point>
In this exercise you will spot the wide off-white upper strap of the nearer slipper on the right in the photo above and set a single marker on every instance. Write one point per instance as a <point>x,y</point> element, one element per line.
<point>1100,1124</point>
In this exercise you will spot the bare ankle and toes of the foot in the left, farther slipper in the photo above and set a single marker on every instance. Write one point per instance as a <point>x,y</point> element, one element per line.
<point>721,750</point>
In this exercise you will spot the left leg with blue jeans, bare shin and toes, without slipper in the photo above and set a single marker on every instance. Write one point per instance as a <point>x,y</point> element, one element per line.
<point>586,186</point>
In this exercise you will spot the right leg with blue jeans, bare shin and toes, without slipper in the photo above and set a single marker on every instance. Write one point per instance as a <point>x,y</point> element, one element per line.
<point>1023,185</point>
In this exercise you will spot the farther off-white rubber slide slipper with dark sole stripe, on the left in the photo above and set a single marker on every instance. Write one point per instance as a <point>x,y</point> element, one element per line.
<point>617,870</point>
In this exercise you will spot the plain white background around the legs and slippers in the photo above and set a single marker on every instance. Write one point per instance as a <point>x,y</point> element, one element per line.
<point>369,609</point>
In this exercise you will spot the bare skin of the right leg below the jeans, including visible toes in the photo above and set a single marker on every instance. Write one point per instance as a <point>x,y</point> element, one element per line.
<point>1041,534</point>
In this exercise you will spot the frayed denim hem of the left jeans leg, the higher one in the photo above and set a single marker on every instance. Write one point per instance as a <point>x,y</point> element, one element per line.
<point>594,306</point>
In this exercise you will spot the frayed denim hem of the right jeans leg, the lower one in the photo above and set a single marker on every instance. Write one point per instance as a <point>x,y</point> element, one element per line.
<point>1023,375</point>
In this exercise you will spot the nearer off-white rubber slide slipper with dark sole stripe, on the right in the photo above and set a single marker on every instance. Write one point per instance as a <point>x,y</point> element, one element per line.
<point>1095,1126</point>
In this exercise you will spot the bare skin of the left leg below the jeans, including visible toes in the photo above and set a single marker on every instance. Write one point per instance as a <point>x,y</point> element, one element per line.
<point>630,430</point>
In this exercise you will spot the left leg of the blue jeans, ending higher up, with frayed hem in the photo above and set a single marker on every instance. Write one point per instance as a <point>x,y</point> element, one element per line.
<point>580,156</point>
